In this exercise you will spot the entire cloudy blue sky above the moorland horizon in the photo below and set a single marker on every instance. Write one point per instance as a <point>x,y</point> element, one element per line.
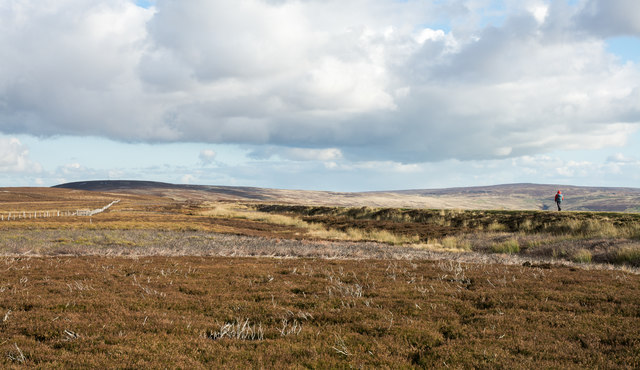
<point>336,95</point>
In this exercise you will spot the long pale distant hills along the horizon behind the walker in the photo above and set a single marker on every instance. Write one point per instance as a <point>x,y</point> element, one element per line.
<point>510,196</point>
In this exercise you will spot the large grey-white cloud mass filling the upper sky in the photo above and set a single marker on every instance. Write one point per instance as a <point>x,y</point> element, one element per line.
<point>370,80</point>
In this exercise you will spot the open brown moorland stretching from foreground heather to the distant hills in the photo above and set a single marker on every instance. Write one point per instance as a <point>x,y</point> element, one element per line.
<point>196,277</point>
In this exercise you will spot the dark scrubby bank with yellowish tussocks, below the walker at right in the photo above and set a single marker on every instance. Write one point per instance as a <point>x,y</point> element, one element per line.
<point>612,238</point>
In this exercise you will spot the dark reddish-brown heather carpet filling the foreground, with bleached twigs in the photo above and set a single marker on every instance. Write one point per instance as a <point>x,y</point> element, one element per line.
<point>213,312</point>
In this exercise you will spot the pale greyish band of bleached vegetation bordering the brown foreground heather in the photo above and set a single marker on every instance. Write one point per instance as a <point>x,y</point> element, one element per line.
<point>143,243</point>
